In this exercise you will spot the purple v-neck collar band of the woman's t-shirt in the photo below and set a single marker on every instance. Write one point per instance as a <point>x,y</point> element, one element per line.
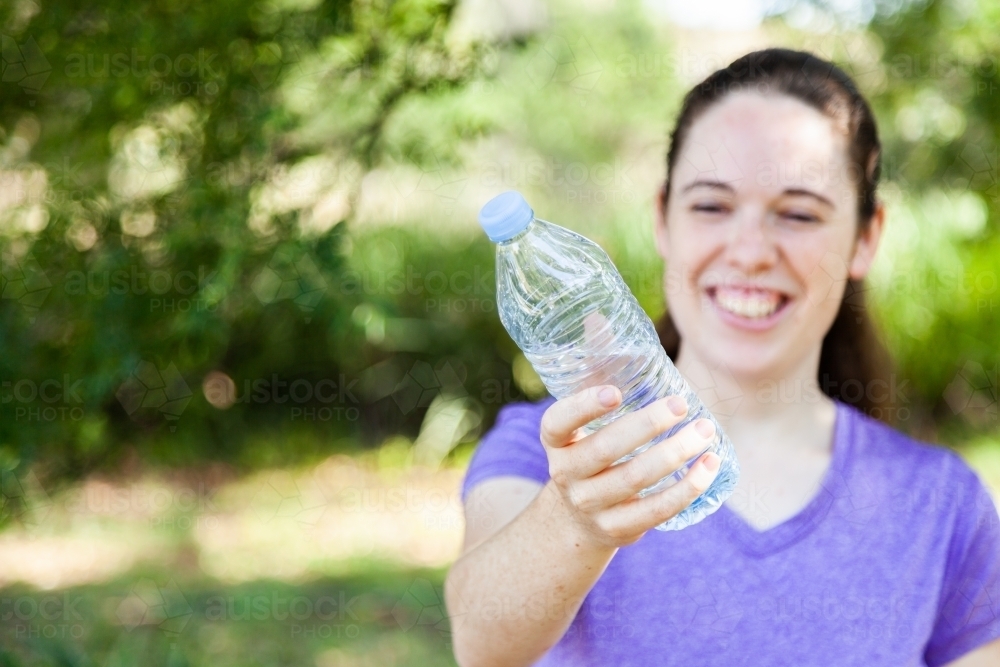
<point>761,543</point>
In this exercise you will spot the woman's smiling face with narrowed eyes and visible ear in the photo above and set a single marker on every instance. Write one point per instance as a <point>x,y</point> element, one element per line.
<point>759,234</point>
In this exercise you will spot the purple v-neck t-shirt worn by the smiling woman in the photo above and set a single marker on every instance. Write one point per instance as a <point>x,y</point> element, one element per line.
<point>895,561</point>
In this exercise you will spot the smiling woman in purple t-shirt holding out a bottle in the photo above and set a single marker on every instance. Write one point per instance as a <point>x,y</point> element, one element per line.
<point>846,542</point>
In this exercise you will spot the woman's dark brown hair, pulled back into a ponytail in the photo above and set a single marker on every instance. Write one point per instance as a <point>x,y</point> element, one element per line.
<point>853,358</point>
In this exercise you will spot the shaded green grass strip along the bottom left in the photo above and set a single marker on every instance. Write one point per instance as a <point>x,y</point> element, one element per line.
<point>155,617</point>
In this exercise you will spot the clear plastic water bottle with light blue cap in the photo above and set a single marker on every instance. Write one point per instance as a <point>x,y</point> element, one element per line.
<point>568,309</point>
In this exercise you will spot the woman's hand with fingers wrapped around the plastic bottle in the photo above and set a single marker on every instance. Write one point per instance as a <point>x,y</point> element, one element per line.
<point>601,498</point>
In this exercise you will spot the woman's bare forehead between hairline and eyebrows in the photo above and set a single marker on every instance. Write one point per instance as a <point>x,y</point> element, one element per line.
<point>767,142</point>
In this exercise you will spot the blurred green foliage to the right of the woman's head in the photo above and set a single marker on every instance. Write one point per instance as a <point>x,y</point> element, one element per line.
<point>937,95</point>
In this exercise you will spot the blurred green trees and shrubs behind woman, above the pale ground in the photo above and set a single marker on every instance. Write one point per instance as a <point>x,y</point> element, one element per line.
<point>284,192</point>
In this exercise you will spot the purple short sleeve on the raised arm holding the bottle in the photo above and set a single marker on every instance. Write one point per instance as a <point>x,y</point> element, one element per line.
<point>512,447</point>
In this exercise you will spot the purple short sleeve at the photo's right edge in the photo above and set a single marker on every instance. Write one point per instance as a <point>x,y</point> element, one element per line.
<point>969,613</point>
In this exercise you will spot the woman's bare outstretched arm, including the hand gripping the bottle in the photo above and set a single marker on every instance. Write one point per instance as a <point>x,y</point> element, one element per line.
<point>533,553</point>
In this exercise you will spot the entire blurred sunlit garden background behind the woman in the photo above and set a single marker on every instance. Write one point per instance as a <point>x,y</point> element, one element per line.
<point>248,330</point>
